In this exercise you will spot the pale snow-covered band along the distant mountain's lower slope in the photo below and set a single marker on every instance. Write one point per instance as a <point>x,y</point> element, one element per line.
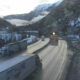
<point>20,22</point>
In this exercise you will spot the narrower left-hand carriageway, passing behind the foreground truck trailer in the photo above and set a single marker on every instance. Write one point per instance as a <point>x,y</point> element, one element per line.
<point>31,48</point>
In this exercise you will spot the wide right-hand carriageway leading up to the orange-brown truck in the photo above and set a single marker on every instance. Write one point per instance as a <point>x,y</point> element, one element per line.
<point>53,61</point>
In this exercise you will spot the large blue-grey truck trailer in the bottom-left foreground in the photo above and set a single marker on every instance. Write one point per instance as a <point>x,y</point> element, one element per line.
<point>19,67</point>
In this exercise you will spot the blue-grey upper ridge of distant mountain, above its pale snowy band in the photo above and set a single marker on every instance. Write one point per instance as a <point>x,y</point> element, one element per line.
<point>30,15</point>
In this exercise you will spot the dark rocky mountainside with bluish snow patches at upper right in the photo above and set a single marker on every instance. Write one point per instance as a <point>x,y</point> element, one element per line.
<point>64,18</point>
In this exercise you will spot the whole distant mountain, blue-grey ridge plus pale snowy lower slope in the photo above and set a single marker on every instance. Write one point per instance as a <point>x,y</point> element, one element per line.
<point>34,16</point>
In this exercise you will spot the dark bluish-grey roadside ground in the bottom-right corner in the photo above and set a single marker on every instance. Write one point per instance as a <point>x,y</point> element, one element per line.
<point>74,67</point>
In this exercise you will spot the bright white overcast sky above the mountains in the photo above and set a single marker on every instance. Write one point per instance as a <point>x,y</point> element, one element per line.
<point>8,7</point>
